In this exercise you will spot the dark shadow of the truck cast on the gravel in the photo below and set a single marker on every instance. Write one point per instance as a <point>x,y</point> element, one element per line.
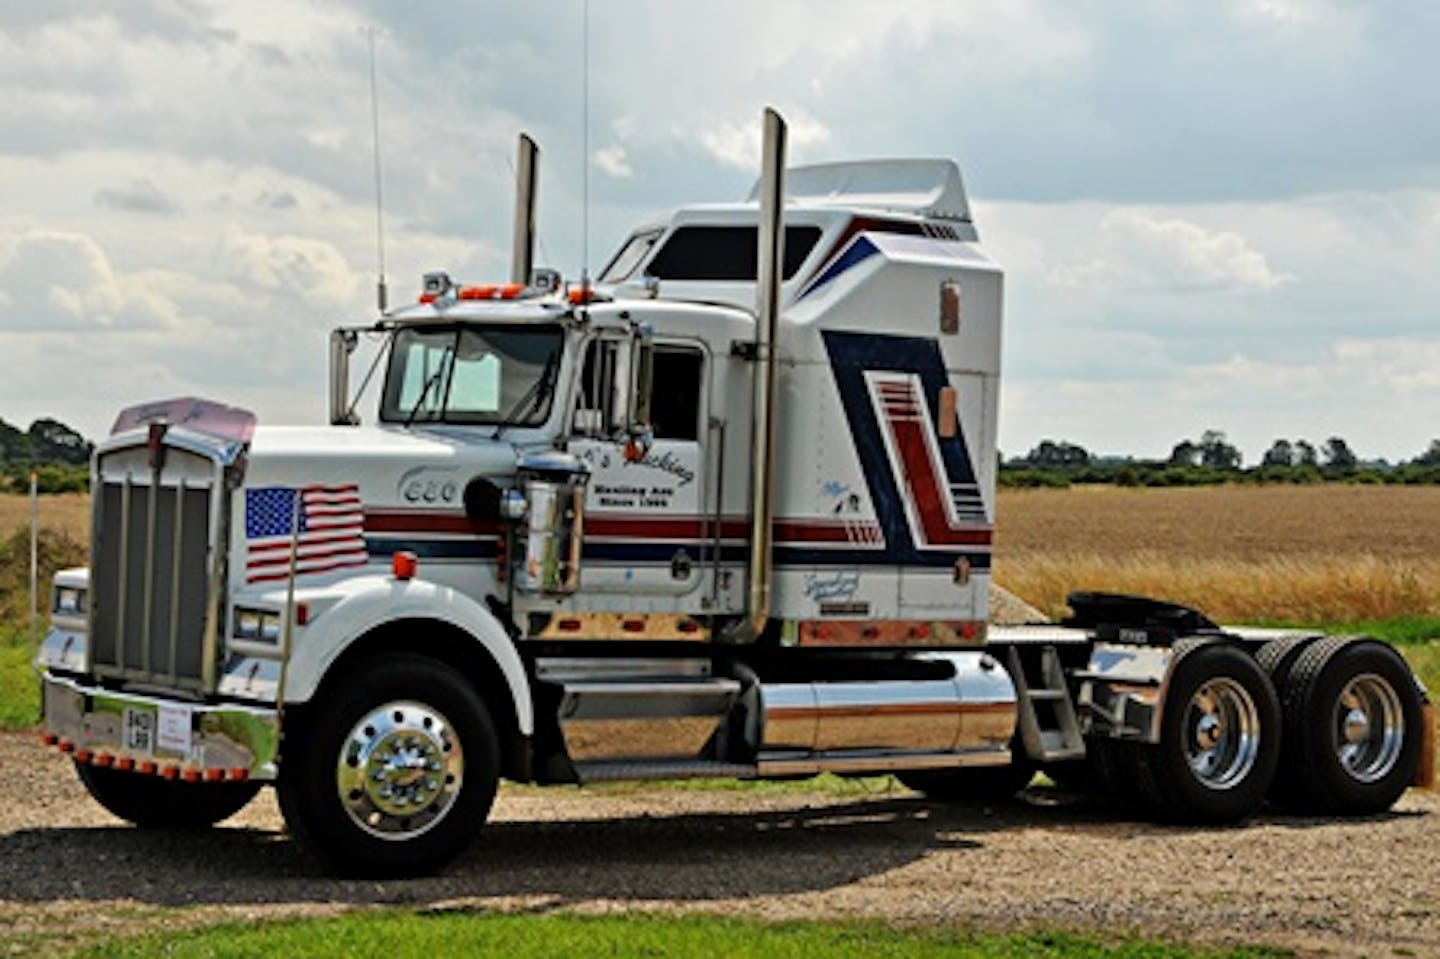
<point>683,857</point>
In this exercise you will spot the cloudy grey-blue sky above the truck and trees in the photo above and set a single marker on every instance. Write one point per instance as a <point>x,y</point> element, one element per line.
<point>1213,215</point>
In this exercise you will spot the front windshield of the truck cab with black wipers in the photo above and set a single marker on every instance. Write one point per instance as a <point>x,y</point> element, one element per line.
<point>473,375</point>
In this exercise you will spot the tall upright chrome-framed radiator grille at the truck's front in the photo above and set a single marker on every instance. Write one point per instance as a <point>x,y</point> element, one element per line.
<point>150,604</point>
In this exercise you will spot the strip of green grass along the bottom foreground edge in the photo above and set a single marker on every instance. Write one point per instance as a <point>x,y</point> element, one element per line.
<point>401,935</point>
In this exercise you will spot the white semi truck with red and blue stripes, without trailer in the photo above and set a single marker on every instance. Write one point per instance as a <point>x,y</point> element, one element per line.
<point>726,512</point>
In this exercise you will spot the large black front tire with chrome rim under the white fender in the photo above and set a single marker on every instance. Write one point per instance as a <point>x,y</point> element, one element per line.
<point>395,774</point>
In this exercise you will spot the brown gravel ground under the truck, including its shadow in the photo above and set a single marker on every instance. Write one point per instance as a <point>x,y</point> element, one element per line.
<point>70,873</point>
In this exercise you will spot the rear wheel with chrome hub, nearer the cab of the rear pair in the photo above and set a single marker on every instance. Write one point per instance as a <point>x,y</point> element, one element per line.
<point>1220,739</point>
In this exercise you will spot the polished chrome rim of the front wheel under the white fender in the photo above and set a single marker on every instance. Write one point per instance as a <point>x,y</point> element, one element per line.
<point>400,771</point>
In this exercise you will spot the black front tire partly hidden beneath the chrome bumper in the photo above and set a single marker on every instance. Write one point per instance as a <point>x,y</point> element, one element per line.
<point>165,804</point>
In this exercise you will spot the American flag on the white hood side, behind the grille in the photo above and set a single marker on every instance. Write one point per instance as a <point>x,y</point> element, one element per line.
<point>330,531</point>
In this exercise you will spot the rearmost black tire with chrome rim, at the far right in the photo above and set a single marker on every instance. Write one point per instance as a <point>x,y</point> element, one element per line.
<point>1353,728</point>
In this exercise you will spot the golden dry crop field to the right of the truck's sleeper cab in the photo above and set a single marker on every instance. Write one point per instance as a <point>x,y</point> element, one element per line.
<point>1323,555</point>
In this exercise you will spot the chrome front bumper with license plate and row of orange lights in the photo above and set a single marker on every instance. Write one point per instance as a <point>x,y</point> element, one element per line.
<point>165,738</point>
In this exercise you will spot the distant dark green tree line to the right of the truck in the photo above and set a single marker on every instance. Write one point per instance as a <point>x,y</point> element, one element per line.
<point>1212,460</point>
